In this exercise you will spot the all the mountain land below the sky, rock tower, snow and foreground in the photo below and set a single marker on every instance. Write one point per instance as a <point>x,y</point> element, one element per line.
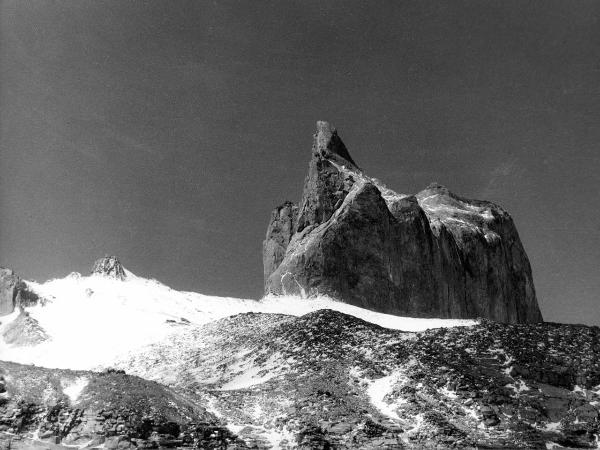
<point>391,321</point>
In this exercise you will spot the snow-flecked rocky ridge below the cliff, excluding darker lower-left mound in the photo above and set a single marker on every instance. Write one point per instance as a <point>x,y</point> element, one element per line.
<point>329,380</point>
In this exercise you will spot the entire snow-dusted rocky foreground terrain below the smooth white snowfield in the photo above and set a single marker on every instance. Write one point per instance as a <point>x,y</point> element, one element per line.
<point>322,380</point>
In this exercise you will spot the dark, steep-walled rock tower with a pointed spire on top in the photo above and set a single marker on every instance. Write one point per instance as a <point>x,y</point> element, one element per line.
<point>433,254</point>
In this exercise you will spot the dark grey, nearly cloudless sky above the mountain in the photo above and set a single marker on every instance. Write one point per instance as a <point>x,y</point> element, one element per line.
<point>165,132</point>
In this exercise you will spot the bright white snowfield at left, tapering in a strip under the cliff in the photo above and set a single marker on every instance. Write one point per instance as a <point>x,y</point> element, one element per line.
<point>88,322</point>
